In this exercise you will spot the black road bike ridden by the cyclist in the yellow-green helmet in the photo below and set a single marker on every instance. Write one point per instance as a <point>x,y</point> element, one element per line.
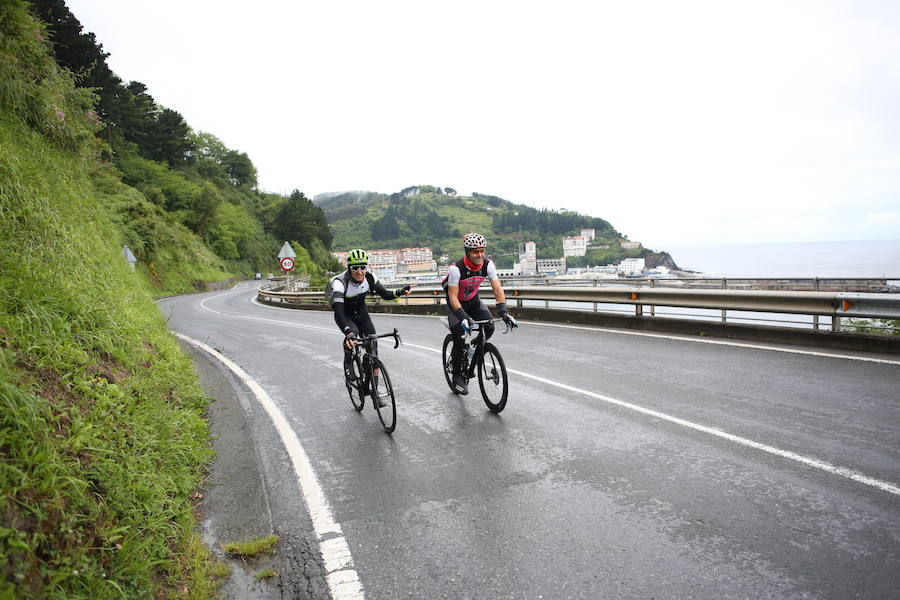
<point>372,379</point>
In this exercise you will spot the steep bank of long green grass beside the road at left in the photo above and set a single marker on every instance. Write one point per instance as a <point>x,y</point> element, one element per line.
<point>102,441</point>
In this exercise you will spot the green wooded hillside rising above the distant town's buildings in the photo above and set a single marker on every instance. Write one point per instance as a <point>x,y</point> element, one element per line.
<point>437,218</point>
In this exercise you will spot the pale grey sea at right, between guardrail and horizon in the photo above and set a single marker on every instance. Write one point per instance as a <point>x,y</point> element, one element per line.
<point>872,258</point>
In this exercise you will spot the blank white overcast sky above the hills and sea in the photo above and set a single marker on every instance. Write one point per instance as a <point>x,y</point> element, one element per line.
<point>680,122</point>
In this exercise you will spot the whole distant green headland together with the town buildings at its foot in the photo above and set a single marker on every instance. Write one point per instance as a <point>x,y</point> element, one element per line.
<point>419,224</point>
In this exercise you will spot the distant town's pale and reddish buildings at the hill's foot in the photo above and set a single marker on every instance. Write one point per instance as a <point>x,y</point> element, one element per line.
<point>419,264</point>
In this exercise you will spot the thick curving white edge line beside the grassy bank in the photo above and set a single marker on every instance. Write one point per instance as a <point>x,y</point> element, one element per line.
<point>343,581</point>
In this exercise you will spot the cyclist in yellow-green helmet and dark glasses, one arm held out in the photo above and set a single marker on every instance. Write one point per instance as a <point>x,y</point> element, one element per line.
<point>349,301</point>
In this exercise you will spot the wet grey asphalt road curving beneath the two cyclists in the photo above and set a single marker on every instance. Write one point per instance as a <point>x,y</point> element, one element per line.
<point>564,494</point>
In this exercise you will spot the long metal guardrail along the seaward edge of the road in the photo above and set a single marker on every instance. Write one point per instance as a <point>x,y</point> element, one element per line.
<point>643,301</point>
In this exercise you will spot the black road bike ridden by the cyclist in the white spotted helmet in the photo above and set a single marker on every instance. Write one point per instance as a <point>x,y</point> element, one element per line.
<point>484,358</point>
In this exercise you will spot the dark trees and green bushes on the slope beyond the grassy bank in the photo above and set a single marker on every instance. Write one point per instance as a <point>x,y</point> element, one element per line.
<point>186,204</point>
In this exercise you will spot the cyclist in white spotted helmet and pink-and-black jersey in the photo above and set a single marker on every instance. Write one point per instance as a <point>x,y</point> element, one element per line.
<point>464,305</point>
